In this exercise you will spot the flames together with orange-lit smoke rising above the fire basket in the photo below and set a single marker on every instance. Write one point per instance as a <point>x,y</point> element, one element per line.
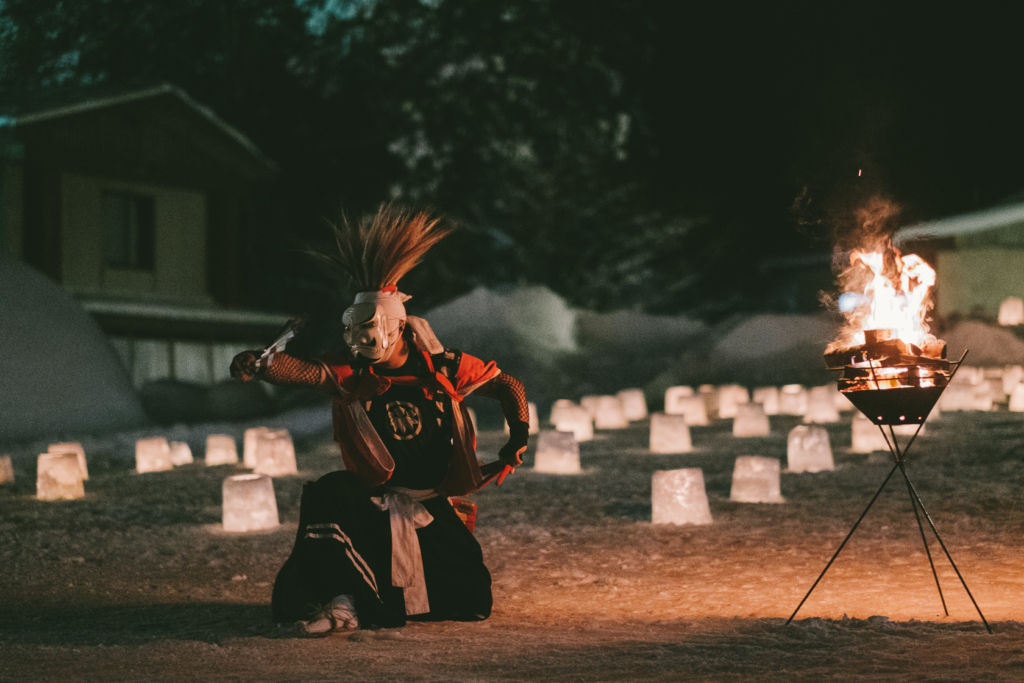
<point>879,287</point>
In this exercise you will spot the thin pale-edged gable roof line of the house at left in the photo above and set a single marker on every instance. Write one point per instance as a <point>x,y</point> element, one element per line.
<point>27,108</point>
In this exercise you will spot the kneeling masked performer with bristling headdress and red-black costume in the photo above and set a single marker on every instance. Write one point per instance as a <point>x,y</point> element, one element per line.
<point>379,543</point>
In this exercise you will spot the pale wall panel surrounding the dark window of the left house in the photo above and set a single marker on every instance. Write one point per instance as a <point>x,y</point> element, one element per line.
<point>181,263</point>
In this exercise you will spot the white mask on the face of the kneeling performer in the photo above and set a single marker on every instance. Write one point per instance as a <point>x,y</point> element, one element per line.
<point>374,324</point>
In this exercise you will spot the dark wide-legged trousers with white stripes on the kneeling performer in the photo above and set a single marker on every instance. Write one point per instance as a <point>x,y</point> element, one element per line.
<point>344,547</point>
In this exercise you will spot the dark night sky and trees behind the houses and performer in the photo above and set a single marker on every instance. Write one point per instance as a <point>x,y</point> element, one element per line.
<point>670,157</point>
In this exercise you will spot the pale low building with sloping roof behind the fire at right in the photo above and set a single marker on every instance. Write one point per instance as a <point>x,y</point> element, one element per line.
<point>978,259</point>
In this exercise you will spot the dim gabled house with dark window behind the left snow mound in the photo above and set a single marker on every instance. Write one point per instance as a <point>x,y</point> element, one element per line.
<point>139,203</point>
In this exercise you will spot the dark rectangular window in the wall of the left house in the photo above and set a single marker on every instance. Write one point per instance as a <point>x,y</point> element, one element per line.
<point>129,231</point>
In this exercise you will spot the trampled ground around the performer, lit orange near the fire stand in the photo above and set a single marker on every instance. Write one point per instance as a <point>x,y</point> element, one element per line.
<point>137,582</point>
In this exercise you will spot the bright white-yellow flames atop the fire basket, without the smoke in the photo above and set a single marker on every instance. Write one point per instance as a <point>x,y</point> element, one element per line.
<point>885,290</point>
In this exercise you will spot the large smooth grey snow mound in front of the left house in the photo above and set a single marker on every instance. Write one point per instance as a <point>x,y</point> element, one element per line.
<point>61,376</point>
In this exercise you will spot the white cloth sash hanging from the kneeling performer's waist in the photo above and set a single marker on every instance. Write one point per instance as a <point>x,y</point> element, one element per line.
<point>407,516</point>
